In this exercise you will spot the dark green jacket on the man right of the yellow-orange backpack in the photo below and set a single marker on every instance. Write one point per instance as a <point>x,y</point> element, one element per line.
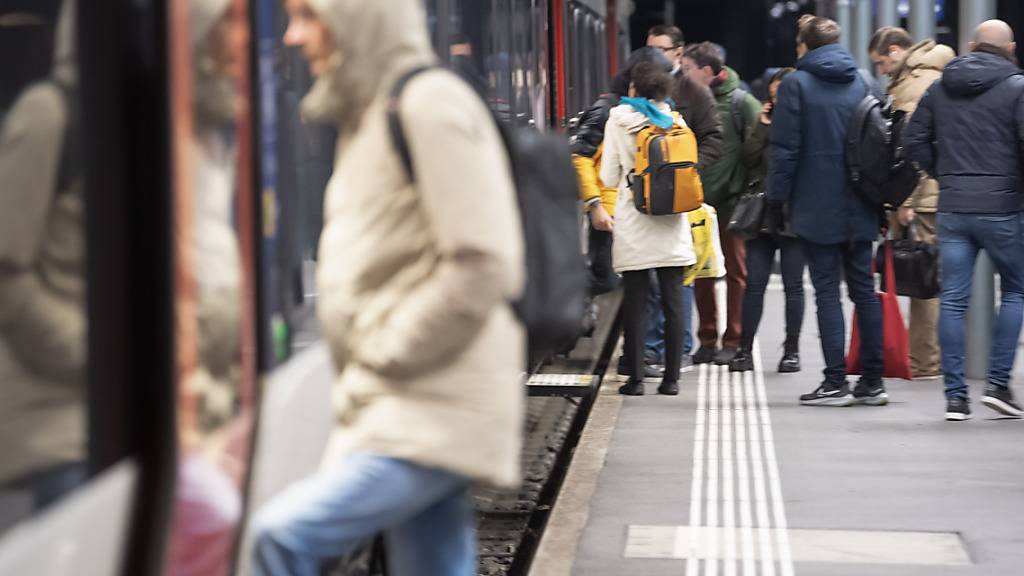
<point>724,181</point>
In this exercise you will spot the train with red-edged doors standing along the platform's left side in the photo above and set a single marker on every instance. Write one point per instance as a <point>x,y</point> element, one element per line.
<point>173,186</point>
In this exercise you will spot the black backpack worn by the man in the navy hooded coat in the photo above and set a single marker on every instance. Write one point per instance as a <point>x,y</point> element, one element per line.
<point>875,160</point>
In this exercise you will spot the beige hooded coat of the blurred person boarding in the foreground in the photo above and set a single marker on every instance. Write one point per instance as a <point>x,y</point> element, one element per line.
<point>414,281</point>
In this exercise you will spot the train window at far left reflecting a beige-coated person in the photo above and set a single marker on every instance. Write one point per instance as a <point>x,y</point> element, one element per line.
<point>44,346</point>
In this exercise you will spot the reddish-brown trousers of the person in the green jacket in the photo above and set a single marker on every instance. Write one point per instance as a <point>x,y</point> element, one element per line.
<point>736,281</point>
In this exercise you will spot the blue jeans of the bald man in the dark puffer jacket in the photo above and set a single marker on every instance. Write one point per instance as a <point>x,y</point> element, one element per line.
<point>961,236</point>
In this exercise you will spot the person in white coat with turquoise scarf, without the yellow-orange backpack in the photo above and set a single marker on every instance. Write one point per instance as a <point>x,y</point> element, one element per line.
<point>643,242</point>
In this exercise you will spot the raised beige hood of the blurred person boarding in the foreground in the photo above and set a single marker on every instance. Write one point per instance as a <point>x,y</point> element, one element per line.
<point>375,44</point>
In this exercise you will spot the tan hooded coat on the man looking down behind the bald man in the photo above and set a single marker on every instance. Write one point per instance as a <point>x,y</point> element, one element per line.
<point>922,66</point>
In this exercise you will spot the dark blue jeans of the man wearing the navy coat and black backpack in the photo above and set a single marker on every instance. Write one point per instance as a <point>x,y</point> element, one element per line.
<point>829,264</point>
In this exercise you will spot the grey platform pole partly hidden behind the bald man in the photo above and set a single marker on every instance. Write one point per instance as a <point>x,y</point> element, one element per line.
<point>982,314</point>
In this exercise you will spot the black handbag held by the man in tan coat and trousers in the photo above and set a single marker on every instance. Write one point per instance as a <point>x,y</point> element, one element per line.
<point>918,267</point>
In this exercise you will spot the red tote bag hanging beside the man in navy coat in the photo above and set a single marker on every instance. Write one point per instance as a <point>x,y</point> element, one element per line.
<point>897,342</point>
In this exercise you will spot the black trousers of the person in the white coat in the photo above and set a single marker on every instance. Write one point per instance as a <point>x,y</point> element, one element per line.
<point>637,283</point>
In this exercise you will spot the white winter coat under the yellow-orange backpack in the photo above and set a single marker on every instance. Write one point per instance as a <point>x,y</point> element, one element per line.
<point>642,242</point>
